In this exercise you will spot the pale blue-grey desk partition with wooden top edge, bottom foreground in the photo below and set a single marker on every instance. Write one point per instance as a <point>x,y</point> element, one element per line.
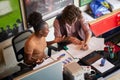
<point>52,71</point>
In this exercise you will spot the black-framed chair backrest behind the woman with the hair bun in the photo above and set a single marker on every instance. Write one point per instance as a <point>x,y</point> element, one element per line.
<point>18,44</point>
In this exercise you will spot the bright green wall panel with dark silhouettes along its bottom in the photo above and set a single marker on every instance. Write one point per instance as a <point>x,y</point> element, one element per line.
<point>10,19</point>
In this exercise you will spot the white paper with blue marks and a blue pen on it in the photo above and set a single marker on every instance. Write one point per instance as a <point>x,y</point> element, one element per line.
<point>64,59</point>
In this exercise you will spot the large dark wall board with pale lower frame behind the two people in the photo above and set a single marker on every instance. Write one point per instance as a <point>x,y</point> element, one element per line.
<point>48,8</point>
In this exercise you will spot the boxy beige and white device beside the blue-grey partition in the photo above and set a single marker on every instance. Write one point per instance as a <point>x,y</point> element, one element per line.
<point>74,71</point>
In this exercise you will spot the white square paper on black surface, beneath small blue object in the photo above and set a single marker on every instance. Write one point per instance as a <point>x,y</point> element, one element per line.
<point>104,68</point>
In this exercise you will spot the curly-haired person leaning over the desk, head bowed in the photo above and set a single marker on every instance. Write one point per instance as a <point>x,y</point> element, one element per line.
<point>71,27</point>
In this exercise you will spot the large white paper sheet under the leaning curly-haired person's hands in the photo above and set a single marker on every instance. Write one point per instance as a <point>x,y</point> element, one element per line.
<point>94,45</point>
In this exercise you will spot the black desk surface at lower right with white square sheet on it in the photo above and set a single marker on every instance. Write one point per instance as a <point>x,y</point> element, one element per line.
<point>94,60</point>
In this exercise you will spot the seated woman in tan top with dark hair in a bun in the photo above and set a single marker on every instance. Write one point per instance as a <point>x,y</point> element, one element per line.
<point>36,43</point>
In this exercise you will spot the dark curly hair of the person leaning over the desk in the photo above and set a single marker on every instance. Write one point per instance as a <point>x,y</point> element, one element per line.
<point>70,13</point>
